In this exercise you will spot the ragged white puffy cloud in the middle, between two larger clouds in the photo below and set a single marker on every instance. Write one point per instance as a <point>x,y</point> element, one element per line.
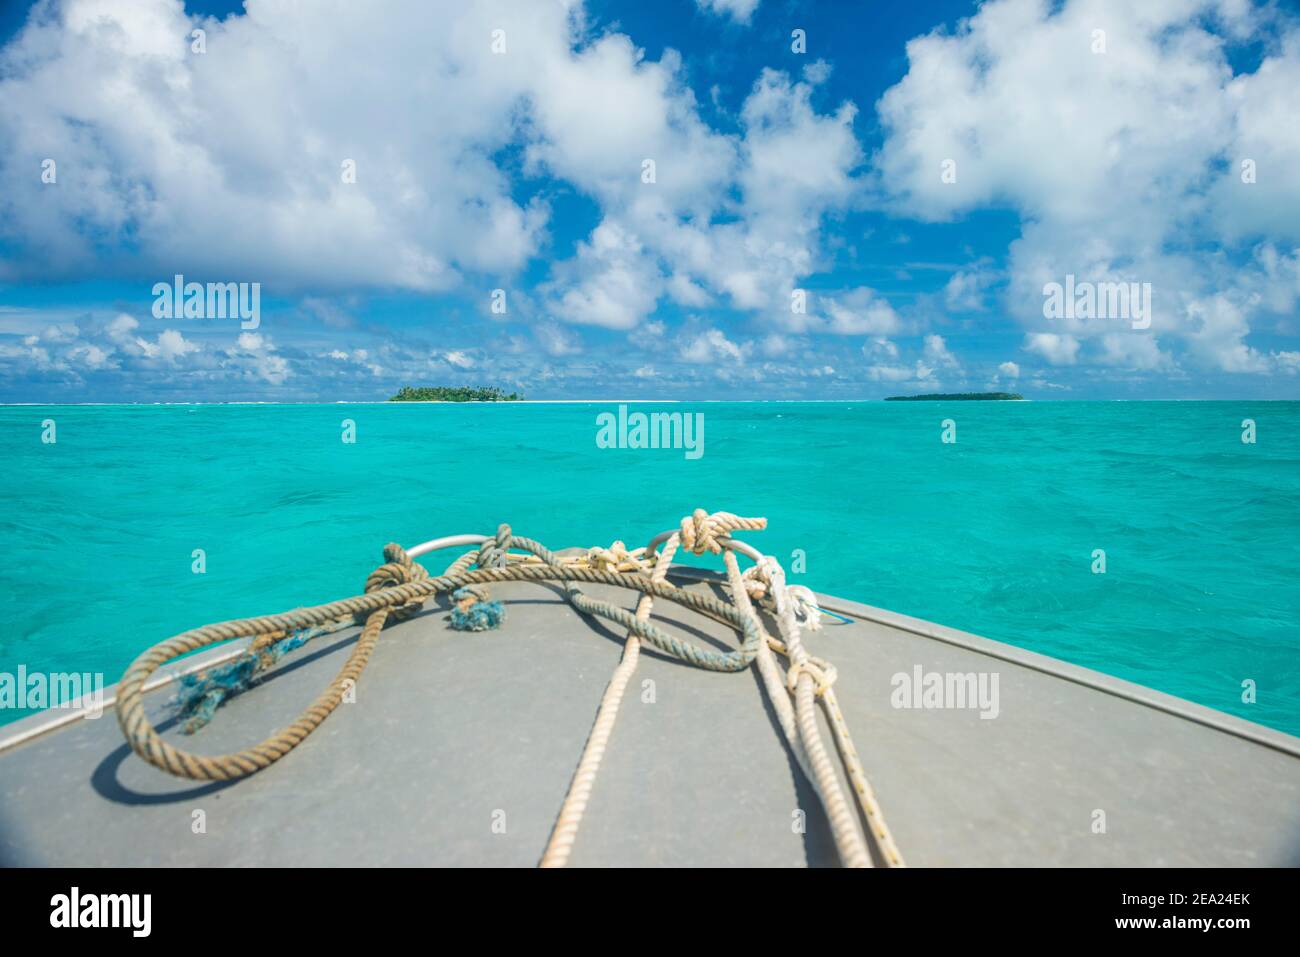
<point>733,218</point>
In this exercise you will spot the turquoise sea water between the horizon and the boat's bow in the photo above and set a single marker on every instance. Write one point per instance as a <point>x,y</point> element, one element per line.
<point>994,534</point>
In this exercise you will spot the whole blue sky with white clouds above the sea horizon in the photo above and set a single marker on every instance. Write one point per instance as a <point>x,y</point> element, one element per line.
<point>878,213</point>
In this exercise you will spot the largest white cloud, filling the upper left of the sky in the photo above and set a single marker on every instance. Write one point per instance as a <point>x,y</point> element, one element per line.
<point>231,162</point>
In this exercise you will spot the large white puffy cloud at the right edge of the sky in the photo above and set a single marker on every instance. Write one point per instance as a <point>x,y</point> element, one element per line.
<point>1121,153</point>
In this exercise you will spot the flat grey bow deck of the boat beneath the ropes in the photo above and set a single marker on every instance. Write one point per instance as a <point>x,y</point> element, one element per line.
<point>460,750</point>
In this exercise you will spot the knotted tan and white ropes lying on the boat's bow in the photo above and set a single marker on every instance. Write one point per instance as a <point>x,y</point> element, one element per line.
<point>400,587</point>
